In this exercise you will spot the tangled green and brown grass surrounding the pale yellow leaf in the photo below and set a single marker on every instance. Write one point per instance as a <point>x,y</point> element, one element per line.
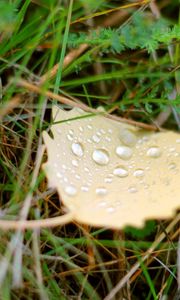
<point>126,60</point>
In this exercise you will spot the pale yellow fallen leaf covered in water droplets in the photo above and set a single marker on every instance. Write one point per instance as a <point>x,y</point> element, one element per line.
<point>109,173</point>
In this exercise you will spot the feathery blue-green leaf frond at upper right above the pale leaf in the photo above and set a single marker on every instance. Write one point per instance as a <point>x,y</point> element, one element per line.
<point>140,33</point>
